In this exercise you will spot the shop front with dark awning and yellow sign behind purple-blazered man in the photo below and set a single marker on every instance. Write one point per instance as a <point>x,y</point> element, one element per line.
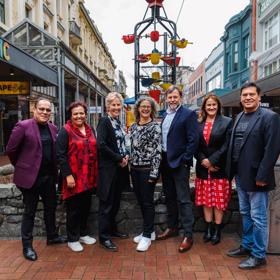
<point>22,80</point>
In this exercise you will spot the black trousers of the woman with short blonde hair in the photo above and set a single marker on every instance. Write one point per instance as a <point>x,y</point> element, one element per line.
<point>109,208</point>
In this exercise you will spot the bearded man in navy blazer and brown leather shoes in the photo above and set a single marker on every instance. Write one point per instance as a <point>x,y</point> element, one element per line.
<point>180,140</point>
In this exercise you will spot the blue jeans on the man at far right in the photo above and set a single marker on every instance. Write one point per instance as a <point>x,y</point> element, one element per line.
<point>253,209</point>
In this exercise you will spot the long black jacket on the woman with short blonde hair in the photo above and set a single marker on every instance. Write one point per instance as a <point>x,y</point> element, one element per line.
<point>109,158</point>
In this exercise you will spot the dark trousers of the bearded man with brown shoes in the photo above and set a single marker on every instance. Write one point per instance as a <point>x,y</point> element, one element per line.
<point>177,191</point>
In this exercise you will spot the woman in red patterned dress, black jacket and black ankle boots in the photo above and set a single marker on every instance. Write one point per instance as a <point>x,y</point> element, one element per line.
<point>212,188</point>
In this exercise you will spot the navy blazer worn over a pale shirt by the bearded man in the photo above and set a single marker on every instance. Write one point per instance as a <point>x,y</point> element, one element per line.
<point>182,138</point>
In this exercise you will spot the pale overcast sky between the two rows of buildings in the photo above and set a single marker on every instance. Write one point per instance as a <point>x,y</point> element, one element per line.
<point>201,22</point>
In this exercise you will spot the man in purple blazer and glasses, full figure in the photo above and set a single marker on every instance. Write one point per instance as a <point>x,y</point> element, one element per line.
<point>31,150</point>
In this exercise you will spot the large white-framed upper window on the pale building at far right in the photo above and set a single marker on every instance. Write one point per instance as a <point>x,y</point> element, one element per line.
<point>271,32</point>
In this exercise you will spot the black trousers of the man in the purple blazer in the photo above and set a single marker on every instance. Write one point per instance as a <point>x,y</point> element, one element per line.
<point>43,187</point>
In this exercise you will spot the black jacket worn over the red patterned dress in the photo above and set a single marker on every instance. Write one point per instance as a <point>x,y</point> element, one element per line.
<point>216,150</point>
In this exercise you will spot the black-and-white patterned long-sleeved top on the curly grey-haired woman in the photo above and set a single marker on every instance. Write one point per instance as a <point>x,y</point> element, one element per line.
<point>146,146</point>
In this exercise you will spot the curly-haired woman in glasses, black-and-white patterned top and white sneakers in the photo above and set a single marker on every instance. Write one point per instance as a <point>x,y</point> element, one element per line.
<point>145,157</point>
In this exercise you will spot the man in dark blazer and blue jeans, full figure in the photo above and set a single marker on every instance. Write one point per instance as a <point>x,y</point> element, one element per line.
<point>253,152</point>
